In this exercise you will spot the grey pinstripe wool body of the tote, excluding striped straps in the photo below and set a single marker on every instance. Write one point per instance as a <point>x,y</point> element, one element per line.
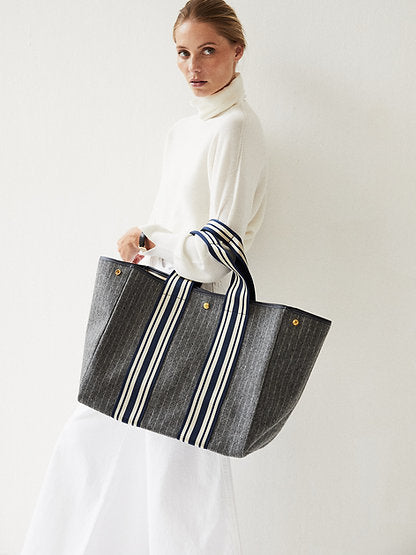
<point>278,350</point>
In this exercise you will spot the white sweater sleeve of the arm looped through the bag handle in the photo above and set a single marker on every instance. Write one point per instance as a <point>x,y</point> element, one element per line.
<point>236,176</point>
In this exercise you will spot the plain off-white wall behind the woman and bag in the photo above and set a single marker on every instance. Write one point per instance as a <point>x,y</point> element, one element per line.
<point>88,90</point>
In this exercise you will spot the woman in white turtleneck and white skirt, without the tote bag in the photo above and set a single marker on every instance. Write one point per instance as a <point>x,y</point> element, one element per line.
<point>113,488</point>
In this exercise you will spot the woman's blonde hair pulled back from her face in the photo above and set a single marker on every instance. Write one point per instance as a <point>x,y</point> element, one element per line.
<point>215,12</point>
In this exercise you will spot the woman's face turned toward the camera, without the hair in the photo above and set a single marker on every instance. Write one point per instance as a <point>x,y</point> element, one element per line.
<point>206,59</point>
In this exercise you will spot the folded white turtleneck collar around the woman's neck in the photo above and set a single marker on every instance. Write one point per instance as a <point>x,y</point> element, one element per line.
<point>214,104</point>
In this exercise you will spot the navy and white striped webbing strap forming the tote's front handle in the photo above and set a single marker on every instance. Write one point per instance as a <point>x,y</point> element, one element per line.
<point>226,247</point>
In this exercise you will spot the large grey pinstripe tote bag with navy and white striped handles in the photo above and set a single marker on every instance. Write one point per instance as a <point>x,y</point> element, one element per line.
<point>220,372</point>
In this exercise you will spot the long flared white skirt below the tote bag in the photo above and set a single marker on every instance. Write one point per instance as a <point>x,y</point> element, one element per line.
<point>113,489</point>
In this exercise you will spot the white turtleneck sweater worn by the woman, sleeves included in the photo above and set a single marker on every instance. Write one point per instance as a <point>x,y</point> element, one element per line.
<point>214,166</point>
